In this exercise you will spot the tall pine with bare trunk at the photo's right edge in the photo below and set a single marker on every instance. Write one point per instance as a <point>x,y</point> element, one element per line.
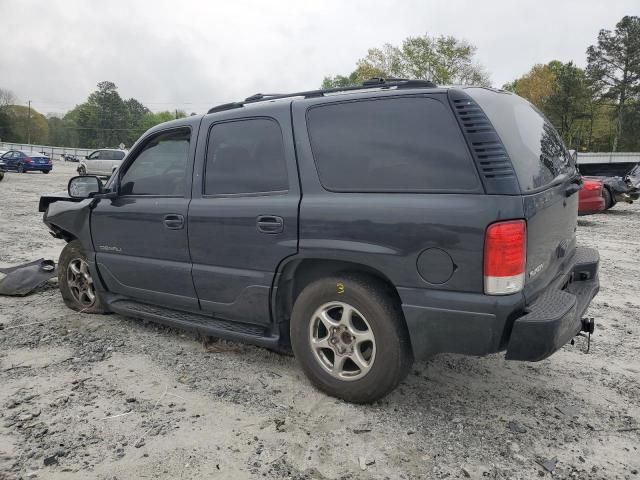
<point>613,64</point>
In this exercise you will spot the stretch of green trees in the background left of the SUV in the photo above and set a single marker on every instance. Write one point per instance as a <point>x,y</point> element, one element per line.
<point>103,120</point>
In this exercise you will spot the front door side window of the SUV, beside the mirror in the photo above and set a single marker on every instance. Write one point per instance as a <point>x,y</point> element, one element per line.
<point>159,169</point>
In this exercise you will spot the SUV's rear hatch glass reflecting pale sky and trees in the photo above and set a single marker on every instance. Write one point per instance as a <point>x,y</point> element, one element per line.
<point>535,148</point>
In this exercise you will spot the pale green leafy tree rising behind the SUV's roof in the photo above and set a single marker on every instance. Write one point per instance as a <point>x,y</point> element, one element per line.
<point>444,60</point>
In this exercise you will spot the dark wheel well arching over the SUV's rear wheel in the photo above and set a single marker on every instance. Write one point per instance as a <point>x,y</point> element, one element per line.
<point>296,275</point>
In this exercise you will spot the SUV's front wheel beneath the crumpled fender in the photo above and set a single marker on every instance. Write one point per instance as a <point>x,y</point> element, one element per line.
<point>76,287</point>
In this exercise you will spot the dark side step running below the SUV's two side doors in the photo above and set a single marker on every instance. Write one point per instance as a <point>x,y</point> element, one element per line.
<point>242,332</point>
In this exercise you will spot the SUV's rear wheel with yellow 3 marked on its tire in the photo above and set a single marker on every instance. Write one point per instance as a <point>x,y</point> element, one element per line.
<point>384,361</point>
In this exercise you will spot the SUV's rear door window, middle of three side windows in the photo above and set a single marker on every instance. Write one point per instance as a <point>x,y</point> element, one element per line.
<point>245,157</point>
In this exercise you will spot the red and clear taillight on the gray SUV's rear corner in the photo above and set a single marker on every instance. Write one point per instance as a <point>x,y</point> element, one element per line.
<point>505,257</point>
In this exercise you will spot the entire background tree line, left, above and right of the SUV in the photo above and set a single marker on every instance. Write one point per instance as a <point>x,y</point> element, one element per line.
<point>594,109</point>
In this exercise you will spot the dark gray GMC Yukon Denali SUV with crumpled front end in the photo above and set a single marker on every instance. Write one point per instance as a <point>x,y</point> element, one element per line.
<point>361,228</point>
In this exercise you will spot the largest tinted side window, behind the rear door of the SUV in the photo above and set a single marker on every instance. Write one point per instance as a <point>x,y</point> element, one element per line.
<point>393,145</point>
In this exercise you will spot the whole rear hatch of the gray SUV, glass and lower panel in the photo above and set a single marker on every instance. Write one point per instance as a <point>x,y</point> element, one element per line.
<point>548,179</point>
